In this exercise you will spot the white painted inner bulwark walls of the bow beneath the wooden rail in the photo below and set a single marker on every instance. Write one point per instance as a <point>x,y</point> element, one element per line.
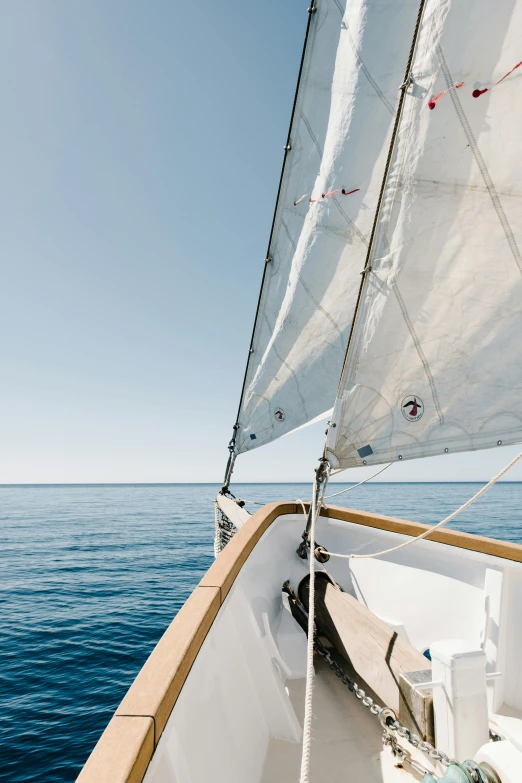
<point>236,700</point>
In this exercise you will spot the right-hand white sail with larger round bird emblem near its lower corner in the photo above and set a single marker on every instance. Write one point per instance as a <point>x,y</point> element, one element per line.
<point>435,363</point>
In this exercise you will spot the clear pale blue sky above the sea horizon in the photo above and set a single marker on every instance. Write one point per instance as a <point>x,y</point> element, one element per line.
<point>141,143</point>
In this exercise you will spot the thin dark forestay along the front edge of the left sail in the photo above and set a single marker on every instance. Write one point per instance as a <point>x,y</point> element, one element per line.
<point>288,146</point>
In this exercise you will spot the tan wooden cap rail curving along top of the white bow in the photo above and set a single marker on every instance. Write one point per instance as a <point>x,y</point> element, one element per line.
<point>124,750</point>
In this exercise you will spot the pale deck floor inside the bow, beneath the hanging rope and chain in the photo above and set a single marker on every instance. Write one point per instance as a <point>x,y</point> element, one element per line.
<point>347,739</point>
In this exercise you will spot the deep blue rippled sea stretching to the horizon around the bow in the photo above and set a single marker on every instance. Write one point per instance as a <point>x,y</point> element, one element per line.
<point>93,574</point>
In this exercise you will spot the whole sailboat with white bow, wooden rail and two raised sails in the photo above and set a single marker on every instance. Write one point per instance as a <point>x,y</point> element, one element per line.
<point>328,644</point>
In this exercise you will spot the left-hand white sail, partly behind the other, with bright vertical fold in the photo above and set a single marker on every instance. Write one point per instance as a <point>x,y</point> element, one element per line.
<point>354,65</point>
